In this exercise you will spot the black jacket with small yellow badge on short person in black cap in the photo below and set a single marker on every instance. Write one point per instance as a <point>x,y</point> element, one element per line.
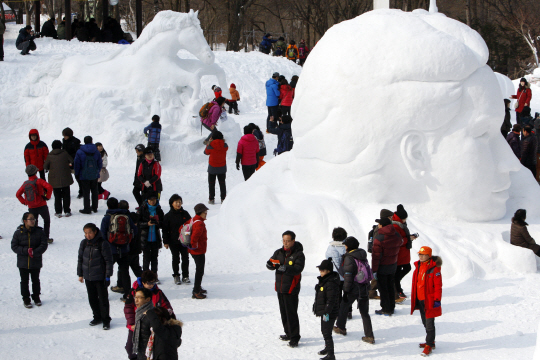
<point>327,295</point>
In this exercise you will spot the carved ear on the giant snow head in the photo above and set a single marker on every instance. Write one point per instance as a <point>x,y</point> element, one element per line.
<point>415,154</point>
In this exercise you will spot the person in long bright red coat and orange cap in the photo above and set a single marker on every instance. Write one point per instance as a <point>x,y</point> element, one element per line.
<point>427,293</point>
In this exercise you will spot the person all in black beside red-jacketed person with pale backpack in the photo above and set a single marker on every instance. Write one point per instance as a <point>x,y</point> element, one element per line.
<point>173,220</point>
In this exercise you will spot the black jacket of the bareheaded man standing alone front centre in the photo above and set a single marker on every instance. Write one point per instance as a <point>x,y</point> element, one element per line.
<point>288,281</point>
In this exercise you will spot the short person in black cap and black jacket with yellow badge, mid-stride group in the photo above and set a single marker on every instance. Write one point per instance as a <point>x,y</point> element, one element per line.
<point>326,305</point>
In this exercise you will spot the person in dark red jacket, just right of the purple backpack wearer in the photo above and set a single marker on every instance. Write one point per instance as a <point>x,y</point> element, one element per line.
<point>386,246</point>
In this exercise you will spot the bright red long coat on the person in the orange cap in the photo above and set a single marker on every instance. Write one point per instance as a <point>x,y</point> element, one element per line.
<point>432,287</point>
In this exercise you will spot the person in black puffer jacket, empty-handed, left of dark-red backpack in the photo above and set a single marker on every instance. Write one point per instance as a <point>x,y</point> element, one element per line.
<point>95,267</point>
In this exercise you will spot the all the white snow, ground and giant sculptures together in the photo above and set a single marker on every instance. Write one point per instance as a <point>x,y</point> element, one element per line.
<point>417,123</point>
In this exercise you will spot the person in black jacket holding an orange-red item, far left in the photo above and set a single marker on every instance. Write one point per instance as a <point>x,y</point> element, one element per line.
<point>29,243</point>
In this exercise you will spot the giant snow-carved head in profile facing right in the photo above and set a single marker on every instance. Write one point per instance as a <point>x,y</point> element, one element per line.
<point>397,107</point>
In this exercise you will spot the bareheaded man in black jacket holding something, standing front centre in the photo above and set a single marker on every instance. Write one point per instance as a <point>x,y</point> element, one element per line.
<point>288,263</point>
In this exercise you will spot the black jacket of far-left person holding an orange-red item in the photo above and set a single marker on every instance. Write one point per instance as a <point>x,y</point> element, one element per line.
<point>22,240</point>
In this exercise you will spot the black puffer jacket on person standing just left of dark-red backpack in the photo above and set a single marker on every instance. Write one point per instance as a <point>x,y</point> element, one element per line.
<point>95,259</point>
